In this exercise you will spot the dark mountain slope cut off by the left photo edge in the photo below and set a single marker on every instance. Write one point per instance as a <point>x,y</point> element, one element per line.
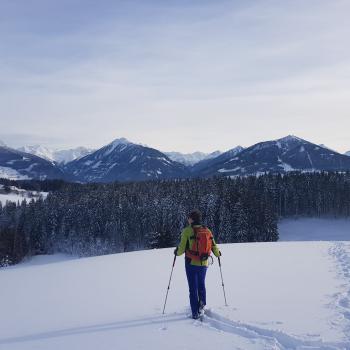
<point>18,165</point>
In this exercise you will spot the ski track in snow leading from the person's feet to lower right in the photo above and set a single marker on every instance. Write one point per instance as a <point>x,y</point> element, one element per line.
<point>272,339</point>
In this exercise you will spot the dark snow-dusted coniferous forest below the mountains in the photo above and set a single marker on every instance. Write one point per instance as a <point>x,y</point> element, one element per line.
<point>95,219</point>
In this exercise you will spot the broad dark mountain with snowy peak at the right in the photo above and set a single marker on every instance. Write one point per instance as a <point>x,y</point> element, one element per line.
<point>286,154</point>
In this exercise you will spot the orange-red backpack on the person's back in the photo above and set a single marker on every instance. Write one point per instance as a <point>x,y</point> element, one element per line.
<point>201,244</point>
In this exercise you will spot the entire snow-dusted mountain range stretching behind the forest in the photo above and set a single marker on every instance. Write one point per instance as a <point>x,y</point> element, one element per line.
<point>122,160</point>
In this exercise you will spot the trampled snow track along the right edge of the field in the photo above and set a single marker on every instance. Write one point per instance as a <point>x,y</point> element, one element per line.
<point>341,254</point>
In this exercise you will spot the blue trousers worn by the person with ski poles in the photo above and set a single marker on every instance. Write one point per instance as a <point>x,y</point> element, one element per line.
<point>196,285</point>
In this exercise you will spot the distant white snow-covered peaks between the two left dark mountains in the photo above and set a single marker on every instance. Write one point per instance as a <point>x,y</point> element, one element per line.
<point>58,156</point>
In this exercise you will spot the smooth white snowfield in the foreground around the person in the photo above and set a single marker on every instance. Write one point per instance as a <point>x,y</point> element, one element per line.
<point>285,295</point>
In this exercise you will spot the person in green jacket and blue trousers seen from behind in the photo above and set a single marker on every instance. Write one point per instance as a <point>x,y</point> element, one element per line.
<point>196,266</point>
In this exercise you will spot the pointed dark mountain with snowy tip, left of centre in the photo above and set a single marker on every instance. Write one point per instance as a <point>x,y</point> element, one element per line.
<point>122,160</point>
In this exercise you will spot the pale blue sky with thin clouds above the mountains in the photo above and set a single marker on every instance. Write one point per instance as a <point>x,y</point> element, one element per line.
<point>181,75</point>
